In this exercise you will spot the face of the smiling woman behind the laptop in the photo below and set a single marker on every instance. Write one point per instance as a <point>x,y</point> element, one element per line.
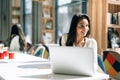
<point>82,27</point>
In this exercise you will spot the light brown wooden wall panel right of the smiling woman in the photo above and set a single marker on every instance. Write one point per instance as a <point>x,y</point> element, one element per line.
<point>98,30</point>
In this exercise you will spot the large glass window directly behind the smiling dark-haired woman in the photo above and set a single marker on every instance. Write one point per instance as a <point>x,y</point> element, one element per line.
<point>65,11</point>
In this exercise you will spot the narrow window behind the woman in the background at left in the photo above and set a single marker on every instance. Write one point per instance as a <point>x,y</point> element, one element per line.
<point>27,21</point>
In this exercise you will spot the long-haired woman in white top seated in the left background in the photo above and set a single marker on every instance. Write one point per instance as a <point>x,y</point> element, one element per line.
<point>17,38</point>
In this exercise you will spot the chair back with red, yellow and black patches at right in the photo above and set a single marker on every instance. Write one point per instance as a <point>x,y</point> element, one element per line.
<point>111,61</point>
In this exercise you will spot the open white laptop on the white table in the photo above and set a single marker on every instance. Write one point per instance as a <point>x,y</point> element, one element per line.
<point>73,60</point>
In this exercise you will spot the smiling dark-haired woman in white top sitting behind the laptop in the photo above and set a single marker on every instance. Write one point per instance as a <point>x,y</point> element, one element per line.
<point>79,33</point>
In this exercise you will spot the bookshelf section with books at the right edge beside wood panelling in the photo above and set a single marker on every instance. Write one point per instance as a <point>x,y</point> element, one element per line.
<point>113,21</point>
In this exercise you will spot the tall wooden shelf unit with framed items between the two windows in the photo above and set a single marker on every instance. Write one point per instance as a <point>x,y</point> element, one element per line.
<point>48,21</point>
